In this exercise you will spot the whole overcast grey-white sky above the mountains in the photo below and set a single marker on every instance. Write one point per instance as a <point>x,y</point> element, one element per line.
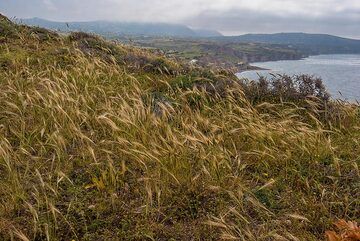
<point>231,17</point>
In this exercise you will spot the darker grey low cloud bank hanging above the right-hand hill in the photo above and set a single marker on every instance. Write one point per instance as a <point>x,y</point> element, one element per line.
<point>237,21</point>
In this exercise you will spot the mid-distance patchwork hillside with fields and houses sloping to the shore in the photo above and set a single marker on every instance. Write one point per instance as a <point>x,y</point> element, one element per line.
<point>236,56</point>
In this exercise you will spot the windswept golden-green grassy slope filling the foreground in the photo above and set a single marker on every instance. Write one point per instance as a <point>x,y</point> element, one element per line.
<point>105,142</point>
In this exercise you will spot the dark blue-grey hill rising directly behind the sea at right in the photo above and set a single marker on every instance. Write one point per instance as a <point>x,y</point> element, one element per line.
<point>312,44</point>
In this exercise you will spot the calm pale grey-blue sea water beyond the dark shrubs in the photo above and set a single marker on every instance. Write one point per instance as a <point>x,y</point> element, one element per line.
<point>340,73</point>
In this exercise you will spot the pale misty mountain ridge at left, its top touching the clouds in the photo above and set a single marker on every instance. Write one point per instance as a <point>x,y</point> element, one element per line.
<point>113,29</point>
